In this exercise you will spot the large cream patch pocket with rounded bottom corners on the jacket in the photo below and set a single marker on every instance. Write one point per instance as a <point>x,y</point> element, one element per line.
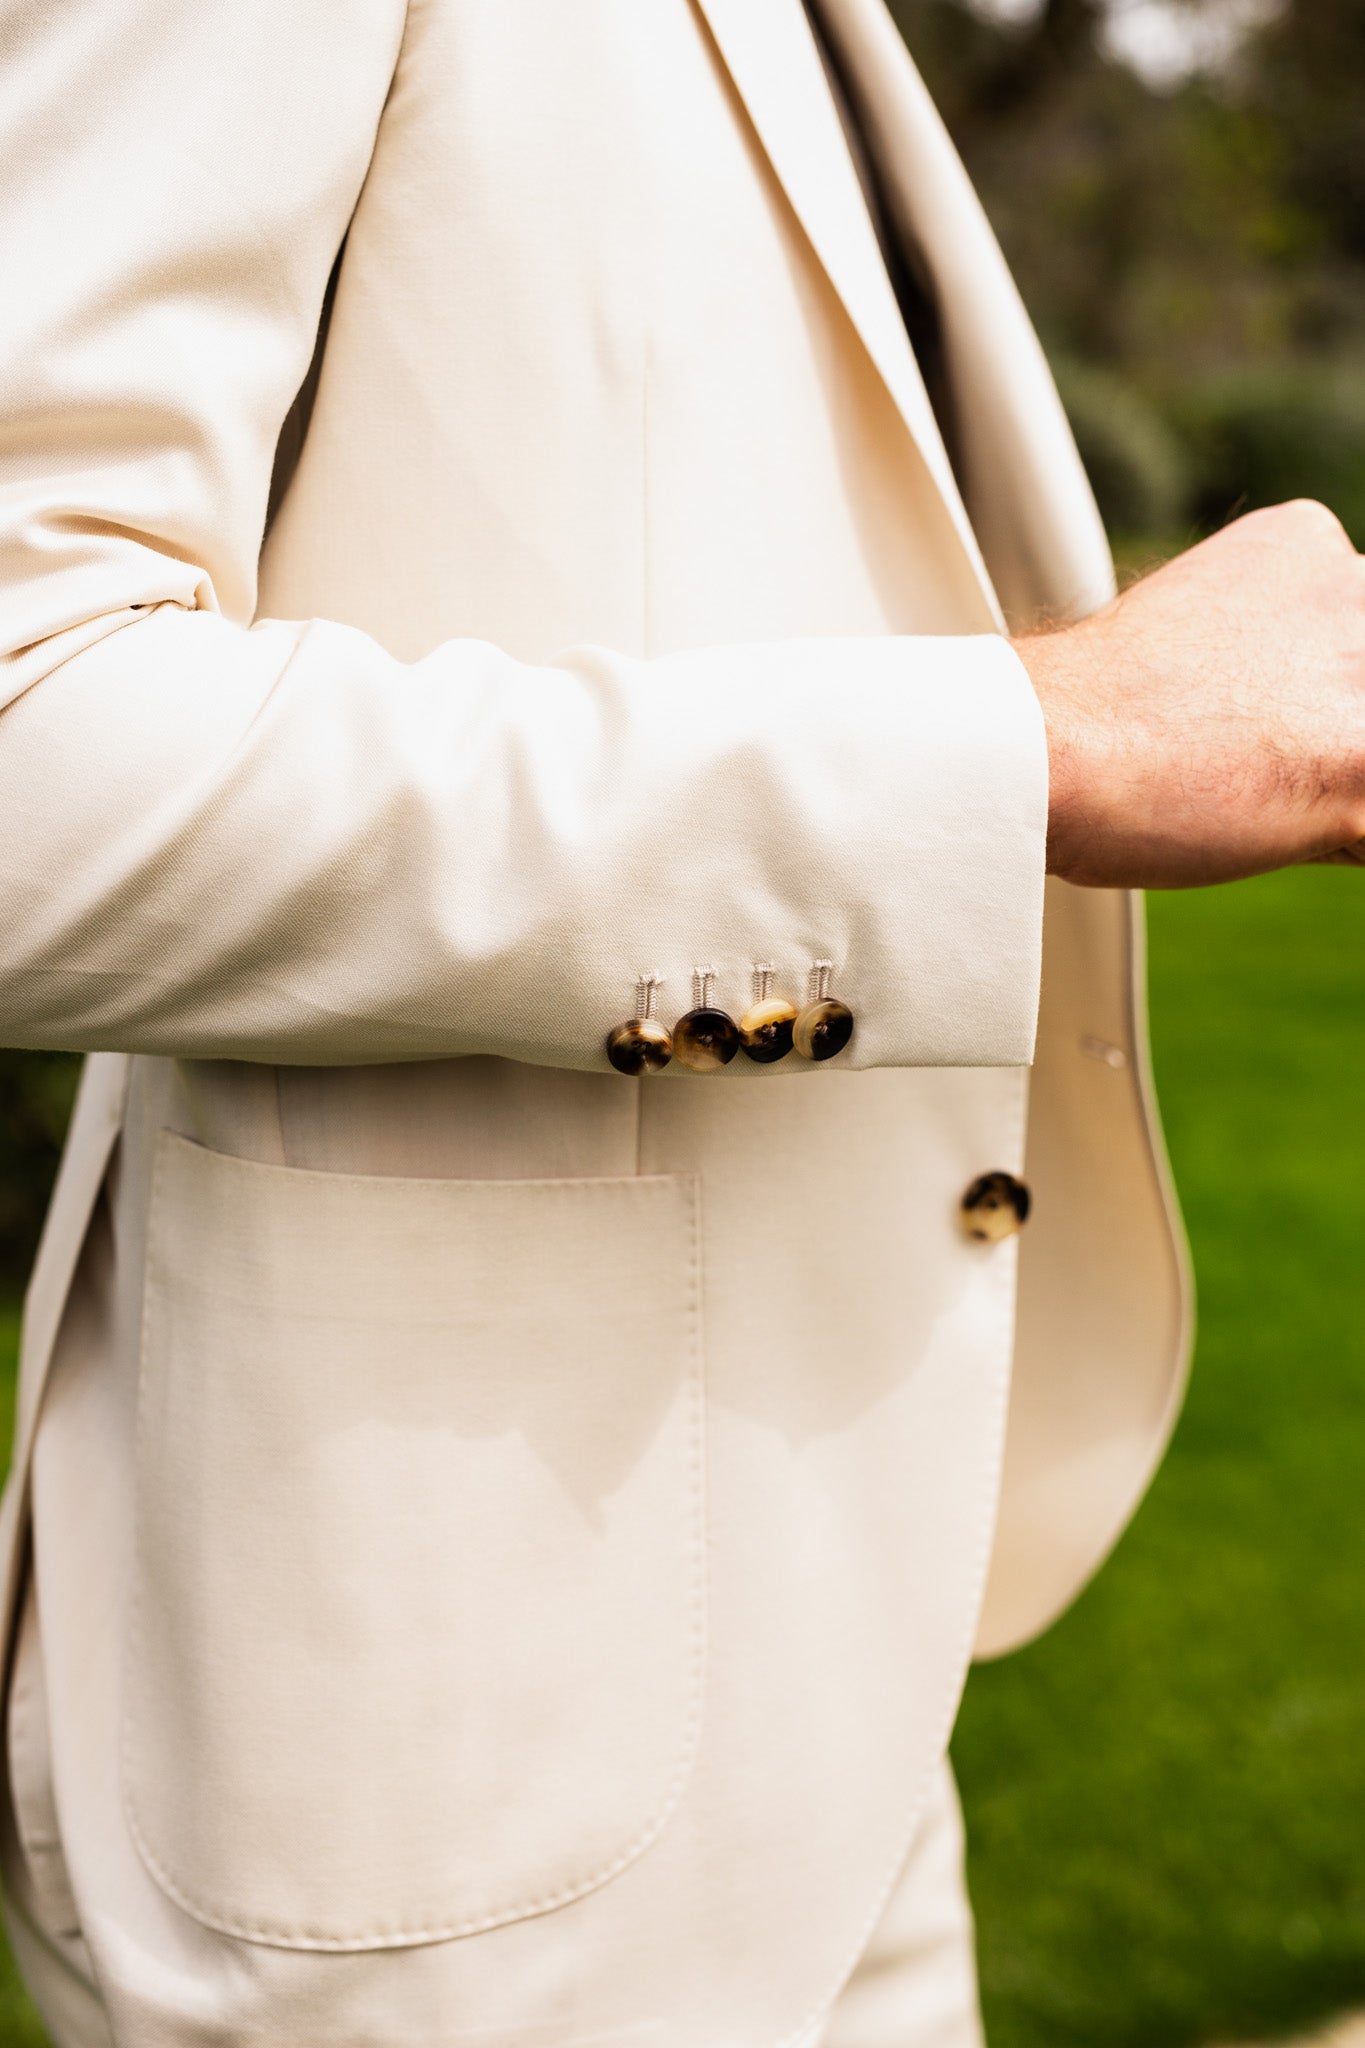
<point>419,1627</point>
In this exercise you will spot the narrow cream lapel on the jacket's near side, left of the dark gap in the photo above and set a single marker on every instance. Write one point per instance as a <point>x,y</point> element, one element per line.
<point>777,71</point>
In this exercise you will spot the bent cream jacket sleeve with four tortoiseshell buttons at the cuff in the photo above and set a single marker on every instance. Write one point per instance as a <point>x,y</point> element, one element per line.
<point>277,843</point>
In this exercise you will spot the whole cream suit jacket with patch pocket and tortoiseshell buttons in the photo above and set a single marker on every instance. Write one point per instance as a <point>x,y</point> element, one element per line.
<point>509,1539</point>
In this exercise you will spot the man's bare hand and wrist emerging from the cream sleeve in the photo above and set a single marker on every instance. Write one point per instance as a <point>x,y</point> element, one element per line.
<point>1210,722</point>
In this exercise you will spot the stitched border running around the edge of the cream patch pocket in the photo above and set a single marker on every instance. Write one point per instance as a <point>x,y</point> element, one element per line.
<point>697,1666</point>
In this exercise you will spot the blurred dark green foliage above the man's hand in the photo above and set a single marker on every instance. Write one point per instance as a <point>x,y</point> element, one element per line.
<point>1194,257</point>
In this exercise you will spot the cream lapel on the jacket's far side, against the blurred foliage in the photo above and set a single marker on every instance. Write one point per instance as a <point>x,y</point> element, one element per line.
<point>1028,495</point>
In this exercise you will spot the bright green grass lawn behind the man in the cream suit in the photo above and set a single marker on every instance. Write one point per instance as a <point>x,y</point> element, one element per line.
<point>1168,1795</point>
